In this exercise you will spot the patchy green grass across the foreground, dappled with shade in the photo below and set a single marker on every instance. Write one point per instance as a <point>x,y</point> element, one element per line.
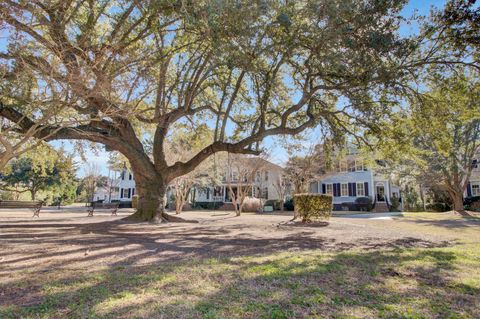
<point>397,283</point>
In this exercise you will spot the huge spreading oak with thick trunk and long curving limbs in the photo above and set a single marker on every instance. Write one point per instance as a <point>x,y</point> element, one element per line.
<point>248,69</point>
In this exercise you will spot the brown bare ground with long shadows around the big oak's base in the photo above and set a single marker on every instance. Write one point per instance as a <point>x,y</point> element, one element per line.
<point>67,240</point>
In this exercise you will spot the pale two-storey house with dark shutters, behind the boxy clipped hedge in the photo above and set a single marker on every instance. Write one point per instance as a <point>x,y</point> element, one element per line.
<point>352,184</point>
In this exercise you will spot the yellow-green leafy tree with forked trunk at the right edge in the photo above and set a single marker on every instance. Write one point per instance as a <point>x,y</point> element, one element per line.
<point>438,138</point>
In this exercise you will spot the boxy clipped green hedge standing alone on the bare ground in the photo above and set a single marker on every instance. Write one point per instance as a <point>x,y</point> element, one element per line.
<point>313,206</point>
